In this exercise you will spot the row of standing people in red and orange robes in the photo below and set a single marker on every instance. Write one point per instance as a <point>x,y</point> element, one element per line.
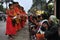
<point>16,19</point>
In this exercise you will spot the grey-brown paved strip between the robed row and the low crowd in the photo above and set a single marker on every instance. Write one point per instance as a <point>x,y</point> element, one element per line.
<point>23,34</point>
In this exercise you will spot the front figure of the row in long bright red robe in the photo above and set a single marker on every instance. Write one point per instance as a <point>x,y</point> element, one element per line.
<point>10,29</point>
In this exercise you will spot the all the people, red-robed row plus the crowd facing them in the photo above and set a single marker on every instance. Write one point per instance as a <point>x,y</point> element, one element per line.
<point>40,27</point>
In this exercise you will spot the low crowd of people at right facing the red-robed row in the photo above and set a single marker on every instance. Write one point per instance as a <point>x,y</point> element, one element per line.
<point>44,27</point>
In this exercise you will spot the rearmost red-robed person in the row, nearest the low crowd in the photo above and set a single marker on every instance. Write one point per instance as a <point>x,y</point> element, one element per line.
<point>23,16</point>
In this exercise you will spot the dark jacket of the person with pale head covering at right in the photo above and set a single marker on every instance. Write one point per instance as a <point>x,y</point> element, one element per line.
<point>52,32</point>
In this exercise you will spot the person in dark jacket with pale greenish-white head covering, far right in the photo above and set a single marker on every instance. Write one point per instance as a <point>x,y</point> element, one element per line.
<point>52,32</point>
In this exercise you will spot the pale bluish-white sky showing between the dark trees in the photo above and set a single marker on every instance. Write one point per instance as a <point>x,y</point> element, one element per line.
<point>25,3</point>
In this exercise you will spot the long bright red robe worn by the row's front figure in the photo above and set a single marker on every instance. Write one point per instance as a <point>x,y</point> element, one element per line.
<point>10,29</point>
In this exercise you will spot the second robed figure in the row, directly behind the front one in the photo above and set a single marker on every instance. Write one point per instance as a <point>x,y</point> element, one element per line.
<point>17,11</point>
